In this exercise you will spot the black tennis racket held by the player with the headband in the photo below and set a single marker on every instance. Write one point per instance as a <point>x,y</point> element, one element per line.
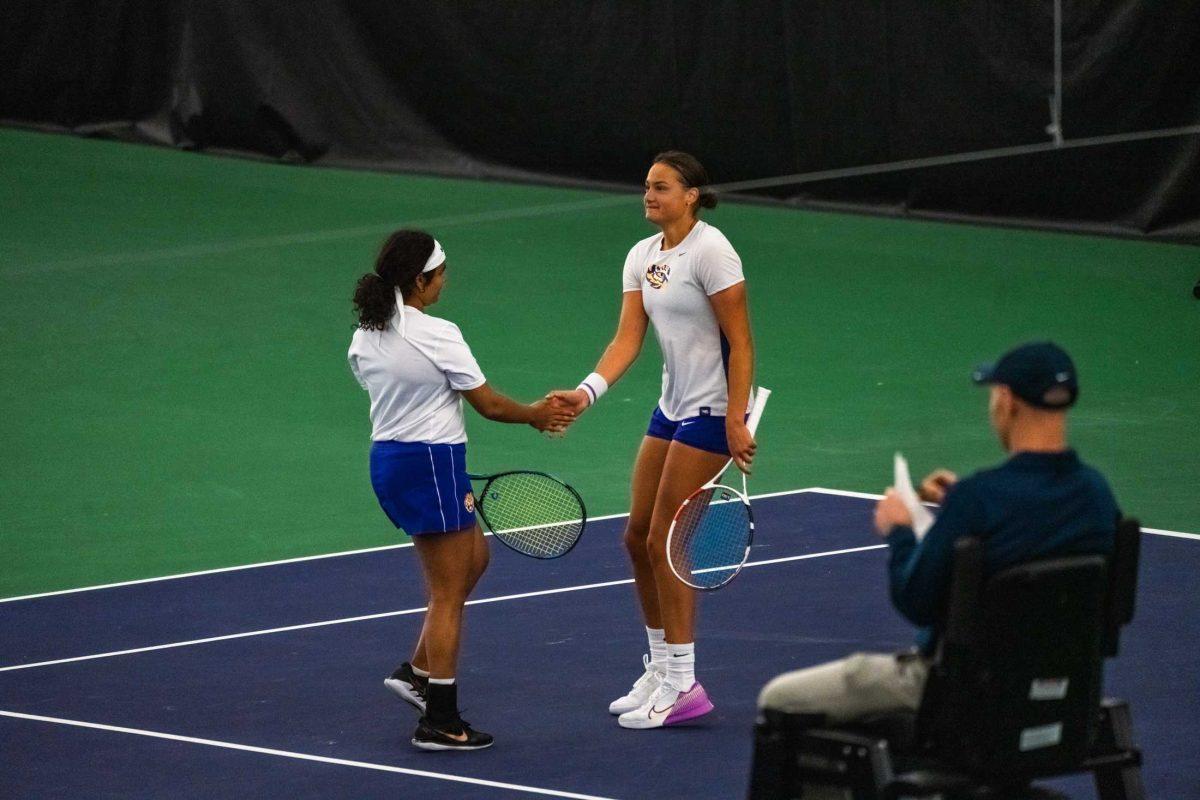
<point>535,514</point>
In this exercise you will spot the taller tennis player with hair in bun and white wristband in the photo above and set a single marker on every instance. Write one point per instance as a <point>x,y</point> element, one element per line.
<point>687,280</point>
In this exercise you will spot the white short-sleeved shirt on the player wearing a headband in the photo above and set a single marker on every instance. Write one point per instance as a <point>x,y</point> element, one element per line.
<point>415,380</point>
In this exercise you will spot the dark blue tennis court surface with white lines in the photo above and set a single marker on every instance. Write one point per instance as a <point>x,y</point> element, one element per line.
<point>268,682</point>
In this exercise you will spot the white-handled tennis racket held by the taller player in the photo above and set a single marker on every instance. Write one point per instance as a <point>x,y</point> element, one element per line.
<point>711,536</point>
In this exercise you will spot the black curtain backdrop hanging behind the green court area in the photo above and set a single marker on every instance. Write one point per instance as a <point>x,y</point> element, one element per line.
<point>585,93</point>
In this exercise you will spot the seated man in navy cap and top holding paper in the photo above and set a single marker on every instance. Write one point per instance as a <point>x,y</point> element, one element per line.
<point>1042,502</point>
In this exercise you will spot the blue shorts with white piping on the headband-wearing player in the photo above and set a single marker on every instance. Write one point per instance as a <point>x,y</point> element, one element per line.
<point>422,488</point>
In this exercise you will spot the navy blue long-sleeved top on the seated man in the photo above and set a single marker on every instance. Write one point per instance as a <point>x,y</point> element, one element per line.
<point>1035,506</point>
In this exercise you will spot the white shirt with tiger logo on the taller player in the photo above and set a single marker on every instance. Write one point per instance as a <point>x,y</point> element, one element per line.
<point>676,285</point>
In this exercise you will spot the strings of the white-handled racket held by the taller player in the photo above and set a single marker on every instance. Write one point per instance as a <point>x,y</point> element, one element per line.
<point>710,540</point>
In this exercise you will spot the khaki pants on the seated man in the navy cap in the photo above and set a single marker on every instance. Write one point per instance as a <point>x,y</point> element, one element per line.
<point>850,689</point>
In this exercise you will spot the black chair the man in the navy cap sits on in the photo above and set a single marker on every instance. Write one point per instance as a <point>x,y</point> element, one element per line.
<point>1013,695</point>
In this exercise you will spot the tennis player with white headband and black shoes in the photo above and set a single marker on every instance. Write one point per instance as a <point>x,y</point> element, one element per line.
<point>417,370</point>
